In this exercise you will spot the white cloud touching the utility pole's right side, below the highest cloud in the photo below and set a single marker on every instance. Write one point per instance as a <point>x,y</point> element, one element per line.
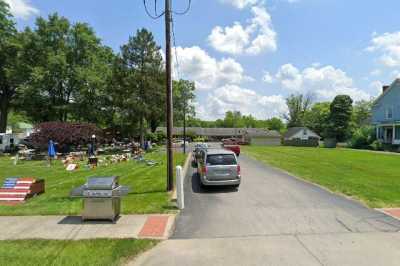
<point>207,72</point>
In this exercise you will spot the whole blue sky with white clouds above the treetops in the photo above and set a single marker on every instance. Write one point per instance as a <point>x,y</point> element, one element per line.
<point>249,55</point>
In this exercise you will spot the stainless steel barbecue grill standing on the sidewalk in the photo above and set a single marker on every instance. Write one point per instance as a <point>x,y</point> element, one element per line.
<point>101,198</point>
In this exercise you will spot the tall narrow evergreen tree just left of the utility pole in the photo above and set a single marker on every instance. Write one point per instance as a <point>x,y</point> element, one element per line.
<point>143,62</point>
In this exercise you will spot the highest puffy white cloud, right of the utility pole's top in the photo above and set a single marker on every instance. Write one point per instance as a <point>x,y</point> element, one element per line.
<point>256,37</point>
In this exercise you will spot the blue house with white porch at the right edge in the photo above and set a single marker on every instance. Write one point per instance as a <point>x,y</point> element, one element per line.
<point>386,114</point>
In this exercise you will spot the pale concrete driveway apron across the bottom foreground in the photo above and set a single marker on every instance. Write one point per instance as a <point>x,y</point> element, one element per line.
<point>345,249</point>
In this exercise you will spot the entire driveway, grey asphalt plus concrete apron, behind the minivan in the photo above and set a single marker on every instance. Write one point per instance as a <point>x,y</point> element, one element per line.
<point>276,219</point>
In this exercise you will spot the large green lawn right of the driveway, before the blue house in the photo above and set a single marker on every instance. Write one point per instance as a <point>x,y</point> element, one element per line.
<point>373,178</point>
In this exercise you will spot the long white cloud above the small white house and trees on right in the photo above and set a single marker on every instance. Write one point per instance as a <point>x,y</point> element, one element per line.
<point>324,82</point>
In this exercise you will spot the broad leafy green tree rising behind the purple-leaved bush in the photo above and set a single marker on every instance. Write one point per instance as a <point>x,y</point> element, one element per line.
<point>70,69</point>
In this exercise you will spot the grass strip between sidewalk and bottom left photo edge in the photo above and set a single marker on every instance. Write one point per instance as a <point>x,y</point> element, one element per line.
<point>68,252</point>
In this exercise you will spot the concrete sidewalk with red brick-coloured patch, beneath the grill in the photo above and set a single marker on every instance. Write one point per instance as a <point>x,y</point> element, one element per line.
<point>155,226</point>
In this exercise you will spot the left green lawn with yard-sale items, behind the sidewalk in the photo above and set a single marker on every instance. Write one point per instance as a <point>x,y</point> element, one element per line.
<point>148,185</point>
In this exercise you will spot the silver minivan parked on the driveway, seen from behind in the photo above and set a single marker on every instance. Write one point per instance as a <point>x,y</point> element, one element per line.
<point>219,168</point>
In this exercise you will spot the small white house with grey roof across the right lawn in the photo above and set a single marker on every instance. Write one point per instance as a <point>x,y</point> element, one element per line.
<point>301,136</point>
